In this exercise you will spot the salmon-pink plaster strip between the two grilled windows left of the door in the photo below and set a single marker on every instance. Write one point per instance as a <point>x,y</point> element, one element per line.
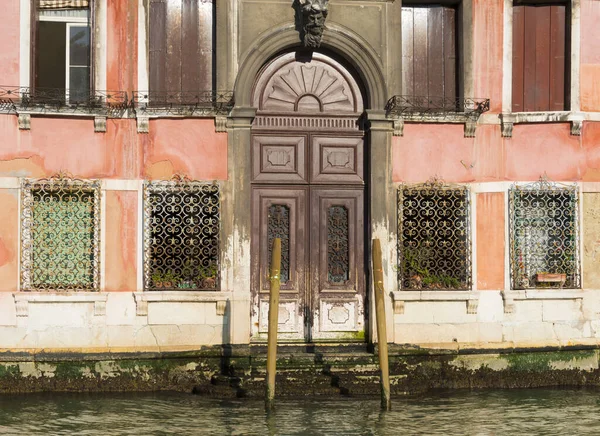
<point>121,241</point>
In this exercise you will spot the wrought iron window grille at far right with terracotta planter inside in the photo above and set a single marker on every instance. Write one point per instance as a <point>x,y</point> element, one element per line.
<point>544,235</point>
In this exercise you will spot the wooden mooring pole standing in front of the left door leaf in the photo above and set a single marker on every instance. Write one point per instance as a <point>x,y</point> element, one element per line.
<point>273,322</point>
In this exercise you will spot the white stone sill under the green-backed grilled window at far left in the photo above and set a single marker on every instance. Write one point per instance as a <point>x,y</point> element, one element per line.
<point>23,299</point>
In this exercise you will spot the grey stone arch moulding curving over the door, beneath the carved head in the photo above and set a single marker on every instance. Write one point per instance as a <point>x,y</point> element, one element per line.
<point>336,38</point>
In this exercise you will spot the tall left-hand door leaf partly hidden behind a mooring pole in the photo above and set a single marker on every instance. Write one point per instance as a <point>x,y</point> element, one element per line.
<point>279,213</point>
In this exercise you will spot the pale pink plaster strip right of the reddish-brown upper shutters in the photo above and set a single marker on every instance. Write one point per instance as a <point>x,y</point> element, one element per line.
<point>590,55</point>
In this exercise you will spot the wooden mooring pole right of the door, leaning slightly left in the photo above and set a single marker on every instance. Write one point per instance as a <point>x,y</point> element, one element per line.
<point>381,329</point>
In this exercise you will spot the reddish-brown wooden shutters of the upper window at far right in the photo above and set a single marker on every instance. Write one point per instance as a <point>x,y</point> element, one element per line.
<point>539,58</point>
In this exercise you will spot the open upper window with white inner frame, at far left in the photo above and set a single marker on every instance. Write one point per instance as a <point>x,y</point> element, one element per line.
<point>62,48</point>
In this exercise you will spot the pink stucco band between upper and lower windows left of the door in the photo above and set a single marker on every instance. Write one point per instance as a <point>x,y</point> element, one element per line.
<point>57,144</point>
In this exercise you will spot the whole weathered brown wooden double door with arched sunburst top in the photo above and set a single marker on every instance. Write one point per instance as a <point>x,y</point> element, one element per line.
<point>308,188</point>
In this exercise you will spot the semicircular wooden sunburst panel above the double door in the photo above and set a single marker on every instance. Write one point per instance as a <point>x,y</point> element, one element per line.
<point>312,84</point>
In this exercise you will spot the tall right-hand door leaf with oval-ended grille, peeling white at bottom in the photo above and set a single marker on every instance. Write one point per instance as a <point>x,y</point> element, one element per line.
<point>337,276</point>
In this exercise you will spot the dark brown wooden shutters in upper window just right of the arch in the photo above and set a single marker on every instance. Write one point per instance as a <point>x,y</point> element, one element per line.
<point>429,51</point>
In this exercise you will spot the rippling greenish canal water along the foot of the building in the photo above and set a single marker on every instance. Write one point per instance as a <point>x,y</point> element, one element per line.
<point>506,412</point>
